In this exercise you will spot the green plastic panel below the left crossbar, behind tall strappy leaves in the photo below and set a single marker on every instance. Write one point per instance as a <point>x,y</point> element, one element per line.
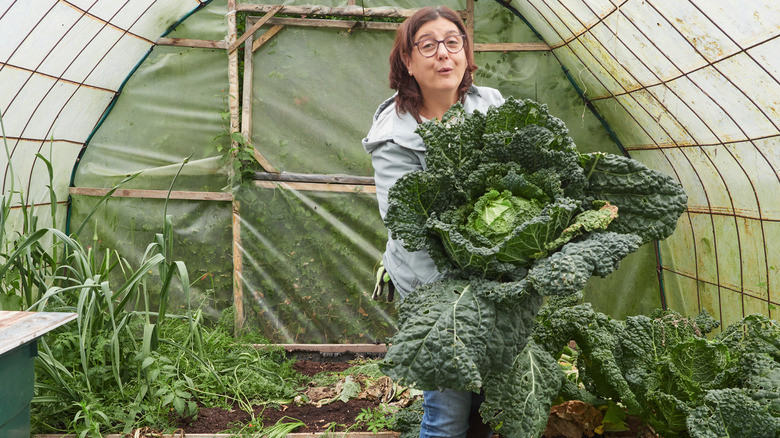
<point>201,237</point>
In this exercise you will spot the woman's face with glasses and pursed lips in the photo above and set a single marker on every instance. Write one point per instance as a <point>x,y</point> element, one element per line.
<point>443,72</point>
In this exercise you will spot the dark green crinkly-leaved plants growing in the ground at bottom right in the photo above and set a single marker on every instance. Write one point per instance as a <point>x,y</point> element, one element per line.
<point>665,370</point>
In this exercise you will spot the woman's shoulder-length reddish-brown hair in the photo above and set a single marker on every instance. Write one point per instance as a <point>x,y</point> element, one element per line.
<point>409,98</point>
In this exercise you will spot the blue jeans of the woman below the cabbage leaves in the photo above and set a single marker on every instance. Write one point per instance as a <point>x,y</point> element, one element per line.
<point>446,414</point>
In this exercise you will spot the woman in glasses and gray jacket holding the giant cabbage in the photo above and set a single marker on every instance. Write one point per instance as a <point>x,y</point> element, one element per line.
<point>431,68</point>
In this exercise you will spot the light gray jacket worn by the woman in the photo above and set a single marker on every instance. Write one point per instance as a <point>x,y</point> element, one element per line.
<point>396,150</point>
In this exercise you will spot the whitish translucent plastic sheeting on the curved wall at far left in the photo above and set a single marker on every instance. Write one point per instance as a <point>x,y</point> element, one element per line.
<point>61,63</point>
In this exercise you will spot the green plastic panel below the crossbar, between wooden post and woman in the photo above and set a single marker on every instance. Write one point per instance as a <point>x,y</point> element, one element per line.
<point>308,261</point>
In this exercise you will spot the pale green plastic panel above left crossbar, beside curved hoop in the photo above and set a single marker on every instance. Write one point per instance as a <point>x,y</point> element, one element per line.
<point>170,110</point>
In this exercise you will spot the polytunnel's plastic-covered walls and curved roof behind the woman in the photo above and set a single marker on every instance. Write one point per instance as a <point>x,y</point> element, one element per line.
<point>242,122</point>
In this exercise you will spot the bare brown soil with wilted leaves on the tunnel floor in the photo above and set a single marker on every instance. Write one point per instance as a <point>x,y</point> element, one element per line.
<point>318,411</point>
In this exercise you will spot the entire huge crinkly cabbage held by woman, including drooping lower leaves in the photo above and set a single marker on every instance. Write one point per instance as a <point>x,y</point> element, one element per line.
<point>512,212</point>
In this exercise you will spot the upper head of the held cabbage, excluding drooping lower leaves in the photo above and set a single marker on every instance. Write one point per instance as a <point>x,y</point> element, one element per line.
<point>507,188</point>
